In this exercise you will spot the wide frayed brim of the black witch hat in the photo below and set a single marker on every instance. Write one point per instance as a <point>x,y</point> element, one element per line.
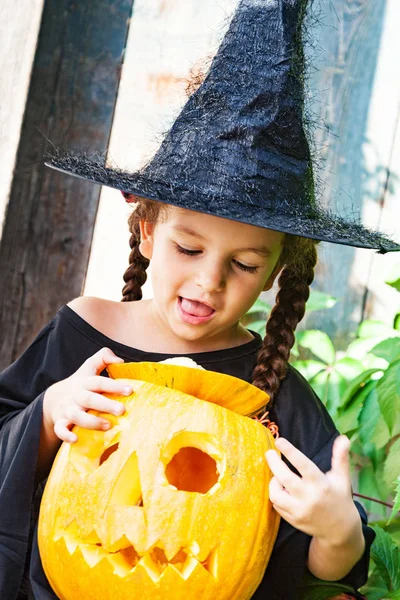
<point>315,223</point>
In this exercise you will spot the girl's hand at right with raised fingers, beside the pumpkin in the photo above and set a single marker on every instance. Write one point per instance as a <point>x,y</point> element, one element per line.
<point>319,504</point>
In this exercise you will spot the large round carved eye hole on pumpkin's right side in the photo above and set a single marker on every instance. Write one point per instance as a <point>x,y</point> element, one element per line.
<point>192,470</point>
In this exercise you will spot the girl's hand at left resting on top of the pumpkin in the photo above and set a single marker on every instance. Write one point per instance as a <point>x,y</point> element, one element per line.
<point>66,402</point>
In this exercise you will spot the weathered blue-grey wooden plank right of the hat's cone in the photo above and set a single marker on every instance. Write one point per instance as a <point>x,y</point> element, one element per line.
<point>350,35</point>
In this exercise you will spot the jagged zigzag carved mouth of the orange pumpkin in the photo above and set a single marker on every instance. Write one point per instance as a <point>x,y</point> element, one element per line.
<point>154,561</point>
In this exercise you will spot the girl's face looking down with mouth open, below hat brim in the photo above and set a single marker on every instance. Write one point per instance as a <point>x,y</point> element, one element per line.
<point>206,273</point>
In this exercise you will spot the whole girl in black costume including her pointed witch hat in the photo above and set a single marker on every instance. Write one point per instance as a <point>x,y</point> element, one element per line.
<point>225,206</point>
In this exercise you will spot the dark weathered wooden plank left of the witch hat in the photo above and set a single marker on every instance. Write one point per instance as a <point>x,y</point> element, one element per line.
<point>50,217</point>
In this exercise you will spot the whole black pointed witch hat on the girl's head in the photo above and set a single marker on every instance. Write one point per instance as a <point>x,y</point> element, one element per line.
<point>238,149</point>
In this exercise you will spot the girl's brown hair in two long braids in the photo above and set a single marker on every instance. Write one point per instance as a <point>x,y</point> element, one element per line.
<point>298,260</point>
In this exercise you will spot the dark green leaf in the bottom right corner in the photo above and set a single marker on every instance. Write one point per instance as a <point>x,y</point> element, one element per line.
<point>386,556</point>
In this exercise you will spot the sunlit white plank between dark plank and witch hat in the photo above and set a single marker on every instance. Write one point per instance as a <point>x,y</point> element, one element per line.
<point>167,39</point>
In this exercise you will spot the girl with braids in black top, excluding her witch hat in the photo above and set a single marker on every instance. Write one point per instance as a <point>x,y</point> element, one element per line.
<point>206,273</point>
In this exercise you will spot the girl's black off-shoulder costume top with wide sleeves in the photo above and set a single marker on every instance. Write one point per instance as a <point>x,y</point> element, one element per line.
<point>57,352</point>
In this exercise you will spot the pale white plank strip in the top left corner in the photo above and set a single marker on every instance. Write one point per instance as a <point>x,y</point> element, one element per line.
<point>19,20</point>
